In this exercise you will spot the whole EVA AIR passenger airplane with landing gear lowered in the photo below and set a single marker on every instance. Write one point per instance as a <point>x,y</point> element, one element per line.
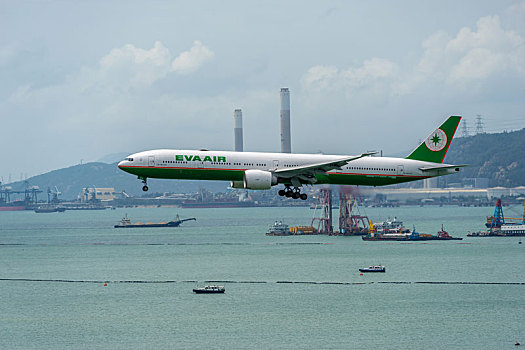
<point>261,171</point>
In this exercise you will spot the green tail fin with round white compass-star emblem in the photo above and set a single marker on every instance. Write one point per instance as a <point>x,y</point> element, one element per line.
<point>436,145</point>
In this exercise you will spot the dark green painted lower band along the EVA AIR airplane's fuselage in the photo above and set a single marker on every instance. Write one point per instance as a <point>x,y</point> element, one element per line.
<point>238,175</point>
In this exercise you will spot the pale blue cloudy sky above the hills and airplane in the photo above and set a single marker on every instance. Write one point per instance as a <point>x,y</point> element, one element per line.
<point>81,80</point>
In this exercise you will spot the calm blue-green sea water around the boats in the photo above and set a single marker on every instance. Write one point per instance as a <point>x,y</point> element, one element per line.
<point>71,280</point>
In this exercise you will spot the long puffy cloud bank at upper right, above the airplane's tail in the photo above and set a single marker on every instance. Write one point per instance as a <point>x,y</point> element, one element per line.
<point>471,57</point>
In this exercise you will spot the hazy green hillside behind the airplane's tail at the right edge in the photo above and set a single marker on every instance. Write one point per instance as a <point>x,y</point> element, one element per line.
<point>498,157</point>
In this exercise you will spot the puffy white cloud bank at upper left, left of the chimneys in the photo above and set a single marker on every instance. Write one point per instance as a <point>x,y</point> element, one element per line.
<point>124,72</point>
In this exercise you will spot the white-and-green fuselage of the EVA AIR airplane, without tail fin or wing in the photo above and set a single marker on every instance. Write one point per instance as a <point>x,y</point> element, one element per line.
<point>227,165</point>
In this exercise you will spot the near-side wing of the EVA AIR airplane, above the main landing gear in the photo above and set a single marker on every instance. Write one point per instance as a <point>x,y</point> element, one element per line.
<point>306,173</point>
